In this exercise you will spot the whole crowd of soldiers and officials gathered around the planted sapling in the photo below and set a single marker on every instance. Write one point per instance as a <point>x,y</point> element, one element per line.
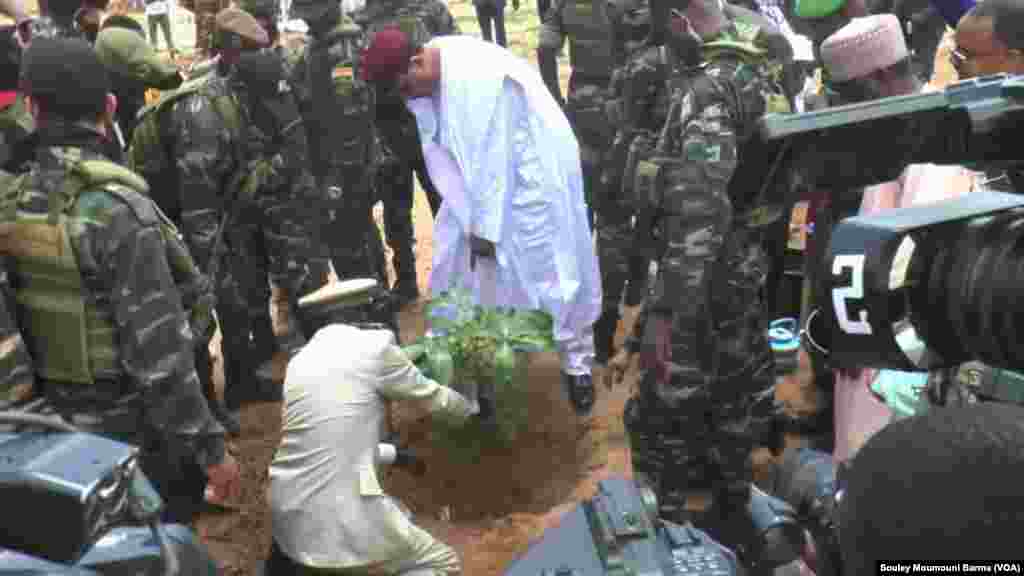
<point>133,230</point>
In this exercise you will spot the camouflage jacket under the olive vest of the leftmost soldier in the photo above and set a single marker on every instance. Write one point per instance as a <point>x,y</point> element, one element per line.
<point>121,258</point>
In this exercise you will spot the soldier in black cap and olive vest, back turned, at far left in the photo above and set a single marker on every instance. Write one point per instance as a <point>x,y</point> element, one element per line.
<point>111,346</point>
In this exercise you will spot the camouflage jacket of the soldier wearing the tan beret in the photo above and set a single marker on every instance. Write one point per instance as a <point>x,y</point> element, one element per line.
<point>208,156</point>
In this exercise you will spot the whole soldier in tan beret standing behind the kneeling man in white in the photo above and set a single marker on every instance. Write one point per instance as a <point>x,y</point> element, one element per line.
<point>222,130</point>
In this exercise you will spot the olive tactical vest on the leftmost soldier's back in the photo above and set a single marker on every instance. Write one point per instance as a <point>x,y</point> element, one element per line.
<point>70,338</point>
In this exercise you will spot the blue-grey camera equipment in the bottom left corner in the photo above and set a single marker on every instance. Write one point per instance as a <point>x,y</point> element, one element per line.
<point>79,505</point>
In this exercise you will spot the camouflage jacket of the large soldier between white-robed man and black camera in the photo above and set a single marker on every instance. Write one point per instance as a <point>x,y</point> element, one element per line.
<point>702,325</point>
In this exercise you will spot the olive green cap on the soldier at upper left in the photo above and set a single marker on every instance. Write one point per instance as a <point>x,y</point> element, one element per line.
<point>126,54</point>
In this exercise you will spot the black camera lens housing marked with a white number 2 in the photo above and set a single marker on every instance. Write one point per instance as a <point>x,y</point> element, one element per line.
<point>915,290</point>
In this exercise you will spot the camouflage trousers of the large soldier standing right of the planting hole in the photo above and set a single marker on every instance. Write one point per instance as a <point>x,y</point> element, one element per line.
<point>703,446</point>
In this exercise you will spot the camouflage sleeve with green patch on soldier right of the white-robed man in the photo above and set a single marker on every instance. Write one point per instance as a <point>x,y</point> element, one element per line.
<point>697,210</point>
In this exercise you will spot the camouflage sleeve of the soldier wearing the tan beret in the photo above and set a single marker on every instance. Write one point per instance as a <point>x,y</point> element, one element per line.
<point>202,151</point>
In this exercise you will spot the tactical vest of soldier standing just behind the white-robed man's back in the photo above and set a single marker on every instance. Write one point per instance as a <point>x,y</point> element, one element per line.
<point>587,25</point>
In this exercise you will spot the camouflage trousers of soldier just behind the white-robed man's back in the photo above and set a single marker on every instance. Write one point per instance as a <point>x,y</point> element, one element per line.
<point>585,107</point>
